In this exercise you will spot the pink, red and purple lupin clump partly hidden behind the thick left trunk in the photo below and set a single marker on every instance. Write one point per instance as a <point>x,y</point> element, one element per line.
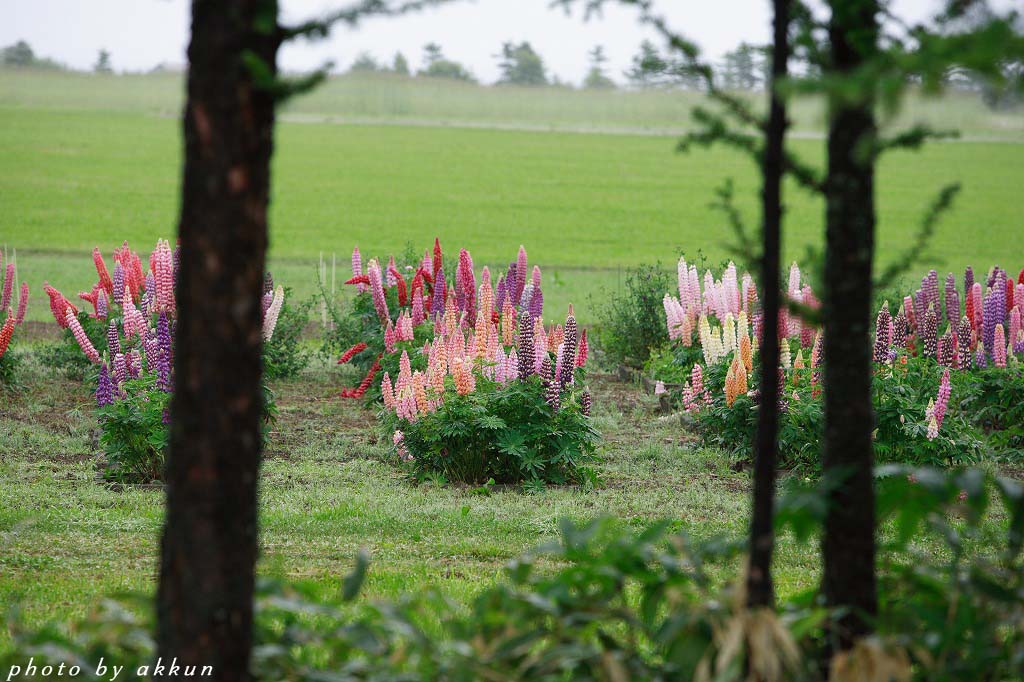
<point>133,356</point>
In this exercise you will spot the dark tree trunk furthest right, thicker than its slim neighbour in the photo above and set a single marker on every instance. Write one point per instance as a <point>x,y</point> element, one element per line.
<point>848,545</point>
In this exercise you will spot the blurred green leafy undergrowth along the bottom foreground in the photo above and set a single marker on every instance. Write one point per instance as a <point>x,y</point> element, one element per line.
<point>607,603</point>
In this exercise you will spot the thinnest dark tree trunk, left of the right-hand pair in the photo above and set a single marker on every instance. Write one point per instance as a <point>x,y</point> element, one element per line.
<point>760,591</point>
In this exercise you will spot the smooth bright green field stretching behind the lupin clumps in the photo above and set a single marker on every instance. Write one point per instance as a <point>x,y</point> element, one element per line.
<point>586,206</point>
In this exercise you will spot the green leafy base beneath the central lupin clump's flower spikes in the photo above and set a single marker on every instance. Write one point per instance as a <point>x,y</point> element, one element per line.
<point>504,433</point>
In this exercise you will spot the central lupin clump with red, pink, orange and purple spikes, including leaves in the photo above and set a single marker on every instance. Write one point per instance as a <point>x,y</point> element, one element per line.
<point>474,386</point>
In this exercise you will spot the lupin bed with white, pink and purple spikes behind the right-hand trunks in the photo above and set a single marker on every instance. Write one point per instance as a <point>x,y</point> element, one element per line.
<point>933,396</point>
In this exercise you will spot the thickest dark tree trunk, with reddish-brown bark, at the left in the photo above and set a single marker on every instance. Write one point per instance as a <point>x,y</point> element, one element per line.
<point>210,534</point>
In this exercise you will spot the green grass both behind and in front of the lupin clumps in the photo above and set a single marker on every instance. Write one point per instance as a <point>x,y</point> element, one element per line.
<point>94,161</point>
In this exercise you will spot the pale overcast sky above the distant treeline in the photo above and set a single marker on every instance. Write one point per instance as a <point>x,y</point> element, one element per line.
<point>142,34</point>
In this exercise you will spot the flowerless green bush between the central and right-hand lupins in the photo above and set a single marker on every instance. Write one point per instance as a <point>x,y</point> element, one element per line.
<point>631,321</point>
